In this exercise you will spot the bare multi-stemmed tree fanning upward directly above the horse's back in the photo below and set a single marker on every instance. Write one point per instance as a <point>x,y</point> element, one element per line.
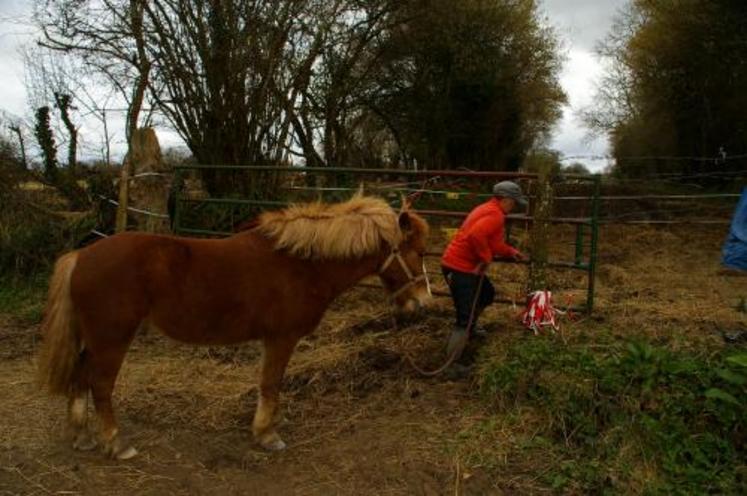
<point>229,74</point>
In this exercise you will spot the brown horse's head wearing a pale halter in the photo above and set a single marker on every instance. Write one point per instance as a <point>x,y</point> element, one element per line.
<point>403,270</point>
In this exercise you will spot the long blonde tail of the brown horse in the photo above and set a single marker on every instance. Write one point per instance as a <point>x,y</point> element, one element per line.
<point>61,346</point>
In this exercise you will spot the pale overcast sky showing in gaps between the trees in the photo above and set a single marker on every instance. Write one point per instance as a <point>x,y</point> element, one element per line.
<point>580,24</point>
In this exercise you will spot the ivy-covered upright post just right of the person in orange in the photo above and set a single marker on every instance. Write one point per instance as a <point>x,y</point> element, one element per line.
<point>540,228</point>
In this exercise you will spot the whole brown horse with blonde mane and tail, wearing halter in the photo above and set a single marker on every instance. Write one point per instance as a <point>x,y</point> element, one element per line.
<point>272,283</point>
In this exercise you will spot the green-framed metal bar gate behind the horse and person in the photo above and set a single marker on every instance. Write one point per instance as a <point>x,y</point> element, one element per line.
<point>306,183</point>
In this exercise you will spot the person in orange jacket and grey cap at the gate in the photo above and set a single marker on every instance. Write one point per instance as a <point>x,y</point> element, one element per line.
<point>480,238</point>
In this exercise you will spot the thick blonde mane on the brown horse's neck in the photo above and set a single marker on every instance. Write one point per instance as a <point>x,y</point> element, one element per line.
<point>353,229</point>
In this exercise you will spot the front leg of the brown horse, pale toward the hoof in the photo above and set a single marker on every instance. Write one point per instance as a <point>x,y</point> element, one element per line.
<point>275,358</point>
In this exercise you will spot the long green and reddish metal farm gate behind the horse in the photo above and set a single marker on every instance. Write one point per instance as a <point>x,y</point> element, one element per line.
<point>443,197</point>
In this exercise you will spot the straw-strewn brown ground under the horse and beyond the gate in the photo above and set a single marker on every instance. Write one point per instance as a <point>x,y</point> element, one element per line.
<point>359,419</point>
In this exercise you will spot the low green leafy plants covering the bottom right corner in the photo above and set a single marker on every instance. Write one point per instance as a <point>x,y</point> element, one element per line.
<point>683,413</point>
